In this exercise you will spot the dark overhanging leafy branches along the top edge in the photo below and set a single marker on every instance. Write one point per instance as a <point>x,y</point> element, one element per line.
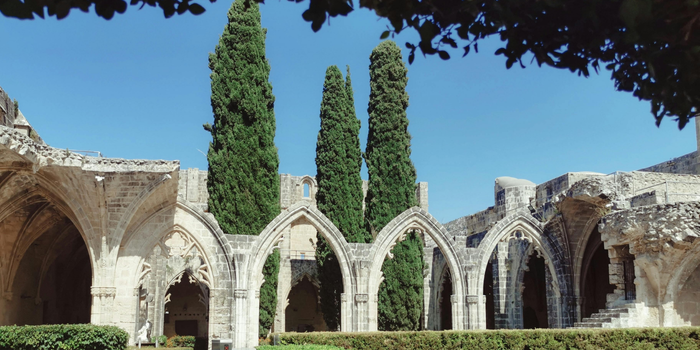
<point>651,48</point>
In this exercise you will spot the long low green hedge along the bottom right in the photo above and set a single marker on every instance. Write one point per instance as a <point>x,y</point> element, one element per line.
<point>614,339</point>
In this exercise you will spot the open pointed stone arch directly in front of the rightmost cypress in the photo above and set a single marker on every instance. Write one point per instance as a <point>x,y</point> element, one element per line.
<point>416,219</point>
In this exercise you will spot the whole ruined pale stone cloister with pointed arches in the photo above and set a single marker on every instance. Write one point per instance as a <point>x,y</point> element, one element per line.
<point>130,243</point>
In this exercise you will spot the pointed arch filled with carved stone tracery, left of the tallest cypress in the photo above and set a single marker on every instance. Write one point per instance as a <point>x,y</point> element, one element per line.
<point>167,242</point>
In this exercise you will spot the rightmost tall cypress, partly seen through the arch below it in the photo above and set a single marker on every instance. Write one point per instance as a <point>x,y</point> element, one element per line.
<point>392,184</point>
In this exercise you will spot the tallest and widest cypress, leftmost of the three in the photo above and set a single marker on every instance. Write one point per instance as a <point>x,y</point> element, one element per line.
<point>243,180</point>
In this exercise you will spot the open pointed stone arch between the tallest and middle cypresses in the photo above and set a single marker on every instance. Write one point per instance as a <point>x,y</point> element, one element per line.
<point>266,242</point>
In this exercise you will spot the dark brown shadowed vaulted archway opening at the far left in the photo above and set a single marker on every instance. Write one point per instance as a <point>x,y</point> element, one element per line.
<point>44,257</point>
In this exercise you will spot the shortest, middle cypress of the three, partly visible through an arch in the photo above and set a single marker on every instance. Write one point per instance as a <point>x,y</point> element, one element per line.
<point>339,196</point>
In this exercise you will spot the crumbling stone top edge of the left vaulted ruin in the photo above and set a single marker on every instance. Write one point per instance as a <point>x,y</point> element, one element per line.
<point>42,155</point>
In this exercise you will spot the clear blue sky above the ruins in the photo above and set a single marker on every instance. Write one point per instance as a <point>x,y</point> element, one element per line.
<point>138,86</point>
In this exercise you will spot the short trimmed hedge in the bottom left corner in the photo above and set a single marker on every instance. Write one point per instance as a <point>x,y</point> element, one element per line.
<point>63,337</point>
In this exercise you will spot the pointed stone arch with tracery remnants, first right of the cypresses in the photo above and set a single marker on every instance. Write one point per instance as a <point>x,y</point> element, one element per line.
<point>530,229</point>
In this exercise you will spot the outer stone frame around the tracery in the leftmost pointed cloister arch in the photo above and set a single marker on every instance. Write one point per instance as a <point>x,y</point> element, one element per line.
<point>204,234</point>
